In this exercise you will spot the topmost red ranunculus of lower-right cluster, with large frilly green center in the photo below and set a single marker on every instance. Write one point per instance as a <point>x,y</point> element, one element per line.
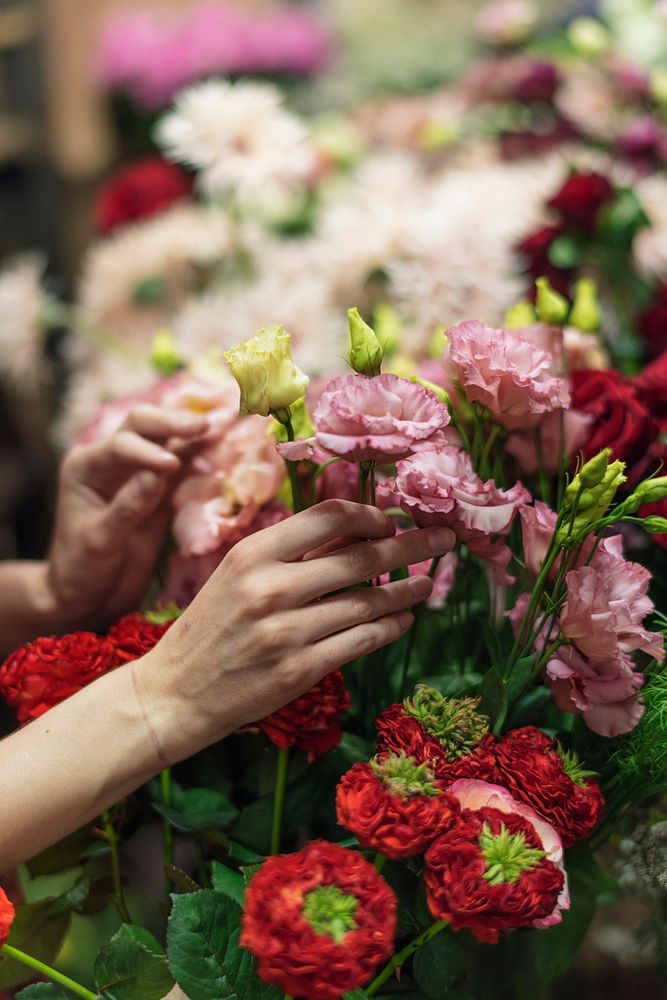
<point>448,734</point>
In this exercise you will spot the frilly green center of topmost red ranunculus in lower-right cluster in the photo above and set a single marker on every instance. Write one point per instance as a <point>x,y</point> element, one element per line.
<point>454,722</point>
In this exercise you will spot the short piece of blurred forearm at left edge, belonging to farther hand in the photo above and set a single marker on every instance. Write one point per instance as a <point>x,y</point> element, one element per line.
<point>27,606</point>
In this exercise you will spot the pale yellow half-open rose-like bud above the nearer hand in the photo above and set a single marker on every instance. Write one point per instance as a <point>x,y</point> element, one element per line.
<point>267,376</point>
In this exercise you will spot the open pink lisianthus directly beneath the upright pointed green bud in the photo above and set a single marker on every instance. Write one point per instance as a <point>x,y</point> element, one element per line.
<point>376,419</point>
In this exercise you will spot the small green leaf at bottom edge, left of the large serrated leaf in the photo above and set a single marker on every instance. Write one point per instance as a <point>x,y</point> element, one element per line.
<point>132,967</point>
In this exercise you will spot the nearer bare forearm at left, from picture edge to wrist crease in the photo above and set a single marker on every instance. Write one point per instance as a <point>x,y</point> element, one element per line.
<point>62,770</point>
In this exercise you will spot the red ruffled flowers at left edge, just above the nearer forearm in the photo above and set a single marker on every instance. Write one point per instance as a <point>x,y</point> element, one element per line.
<point>43,673</point>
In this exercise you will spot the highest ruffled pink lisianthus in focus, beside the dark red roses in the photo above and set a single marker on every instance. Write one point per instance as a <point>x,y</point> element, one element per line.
<point>506,372</point>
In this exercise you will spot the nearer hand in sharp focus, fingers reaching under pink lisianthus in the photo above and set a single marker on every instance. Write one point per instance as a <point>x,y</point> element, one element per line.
<point>276,616</point>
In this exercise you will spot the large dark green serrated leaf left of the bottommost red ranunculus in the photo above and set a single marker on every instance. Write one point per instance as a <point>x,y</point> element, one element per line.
<point>204,952</point>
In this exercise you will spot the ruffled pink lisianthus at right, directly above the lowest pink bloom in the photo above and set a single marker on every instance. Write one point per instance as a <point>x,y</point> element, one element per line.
<point>606,604</point>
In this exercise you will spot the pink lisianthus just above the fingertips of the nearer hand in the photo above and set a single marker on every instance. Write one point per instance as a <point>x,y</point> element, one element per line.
<point>440,486</point>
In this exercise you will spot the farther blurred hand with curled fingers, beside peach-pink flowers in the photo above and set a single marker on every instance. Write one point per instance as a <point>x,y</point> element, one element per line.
<point>112,515</point>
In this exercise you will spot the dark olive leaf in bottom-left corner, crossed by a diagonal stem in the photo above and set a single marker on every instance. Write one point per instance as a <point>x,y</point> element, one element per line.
<point>34,932</point>
